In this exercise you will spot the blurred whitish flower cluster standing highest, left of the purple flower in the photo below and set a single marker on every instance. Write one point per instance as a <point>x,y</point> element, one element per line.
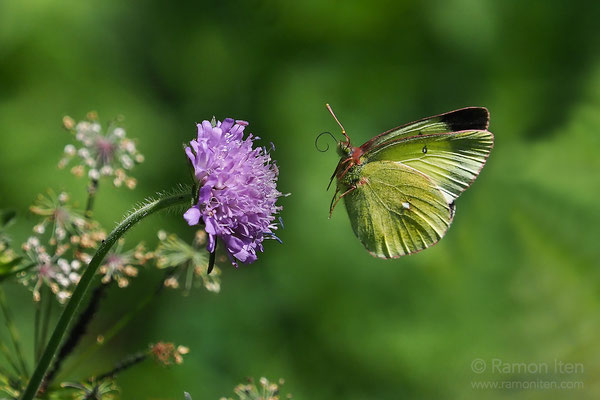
<point>101,154</point>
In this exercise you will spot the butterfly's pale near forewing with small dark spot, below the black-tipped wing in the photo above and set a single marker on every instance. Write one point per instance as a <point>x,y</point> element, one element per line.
<point>451,160</point>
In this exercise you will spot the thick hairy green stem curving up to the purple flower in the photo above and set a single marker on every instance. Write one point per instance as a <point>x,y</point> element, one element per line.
<point>163,202</point>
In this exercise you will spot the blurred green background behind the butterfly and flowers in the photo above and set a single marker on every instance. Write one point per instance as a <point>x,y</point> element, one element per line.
<point>517,276</point>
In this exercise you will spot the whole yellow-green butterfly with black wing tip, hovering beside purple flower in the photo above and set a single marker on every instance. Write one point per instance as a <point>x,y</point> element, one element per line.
<point>399,187</point>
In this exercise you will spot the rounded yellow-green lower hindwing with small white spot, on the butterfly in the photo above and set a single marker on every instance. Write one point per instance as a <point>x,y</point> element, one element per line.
<point>396,210</point>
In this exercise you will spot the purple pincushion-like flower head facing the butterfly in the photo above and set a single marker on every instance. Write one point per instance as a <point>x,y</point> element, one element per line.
<point>238,189</point>
